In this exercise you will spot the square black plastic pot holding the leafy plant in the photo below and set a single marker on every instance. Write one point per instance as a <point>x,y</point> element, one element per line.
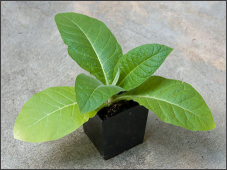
<point>118,133</point>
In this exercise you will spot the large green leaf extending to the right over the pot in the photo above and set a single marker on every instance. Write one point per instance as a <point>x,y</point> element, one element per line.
<point>174,102</point>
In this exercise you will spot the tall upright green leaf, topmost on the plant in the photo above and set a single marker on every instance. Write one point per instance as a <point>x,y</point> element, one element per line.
<point>90,43</point>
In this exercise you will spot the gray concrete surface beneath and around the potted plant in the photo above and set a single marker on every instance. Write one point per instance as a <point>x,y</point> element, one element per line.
<point>34,57</point>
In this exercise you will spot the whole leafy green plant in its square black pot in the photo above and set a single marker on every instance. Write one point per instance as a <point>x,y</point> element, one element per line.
<point>113,105</point>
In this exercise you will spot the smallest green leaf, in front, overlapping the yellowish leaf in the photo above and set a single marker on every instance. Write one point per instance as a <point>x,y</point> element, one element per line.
<point>91,93</point>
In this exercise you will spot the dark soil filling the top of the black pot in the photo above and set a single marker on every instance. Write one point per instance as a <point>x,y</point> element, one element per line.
<point>115,108</point>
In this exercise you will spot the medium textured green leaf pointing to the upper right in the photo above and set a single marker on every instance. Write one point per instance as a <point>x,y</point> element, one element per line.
<point>140,63</point>
